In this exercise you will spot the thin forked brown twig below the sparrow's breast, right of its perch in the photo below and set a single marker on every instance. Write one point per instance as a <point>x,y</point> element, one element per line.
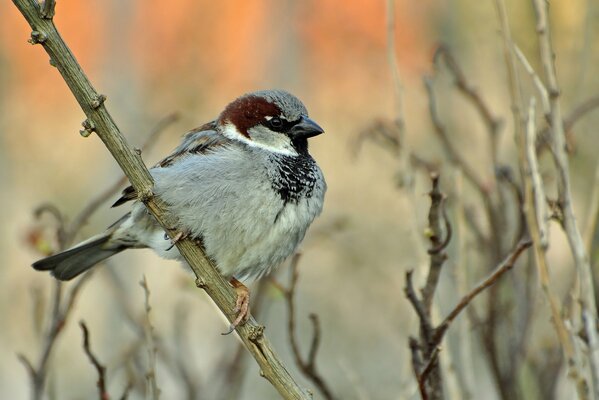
<point>307,366</point>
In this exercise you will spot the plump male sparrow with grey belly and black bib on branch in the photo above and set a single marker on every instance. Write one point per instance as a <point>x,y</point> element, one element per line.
<point>244,186</point>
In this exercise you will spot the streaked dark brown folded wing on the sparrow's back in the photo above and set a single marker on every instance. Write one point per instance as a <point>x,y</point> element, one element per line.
<point>197,141</point>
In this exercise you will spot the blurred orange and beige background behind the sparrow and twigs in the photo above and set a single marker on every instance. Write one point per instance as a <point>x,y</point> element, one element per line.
<point>155,58</point>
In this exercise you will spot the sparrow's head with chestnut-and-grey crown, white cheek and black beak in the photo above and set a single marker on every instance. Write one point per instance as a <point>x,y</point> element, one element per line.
<point>274,120</point>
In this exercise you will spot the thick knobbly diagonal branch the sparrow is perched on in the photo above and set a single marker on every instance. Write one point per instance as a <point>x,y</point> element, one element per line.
<point>101,122</point>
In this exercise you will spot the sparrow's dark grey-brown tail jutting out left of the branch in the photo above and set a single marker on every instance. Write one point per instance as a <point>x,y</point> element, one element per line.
<point>72,262</point>
